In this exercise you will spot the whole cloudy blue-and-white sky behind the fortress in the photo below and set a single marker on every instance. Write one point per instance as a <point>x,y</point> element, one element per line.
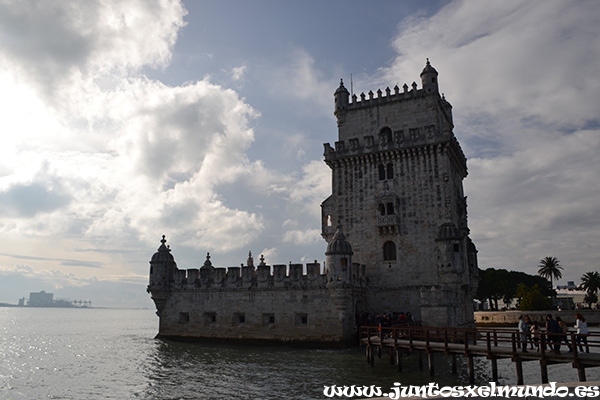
<point>205,121</point>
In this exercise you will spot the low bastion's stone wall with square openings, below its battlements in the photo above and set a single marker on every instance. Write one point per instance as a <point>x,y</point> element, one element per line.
<point>284,315</point>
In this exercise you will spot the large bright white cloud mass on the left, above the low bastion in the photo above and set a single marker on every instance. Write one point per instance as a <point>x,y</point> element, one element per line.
<point>95,150</point>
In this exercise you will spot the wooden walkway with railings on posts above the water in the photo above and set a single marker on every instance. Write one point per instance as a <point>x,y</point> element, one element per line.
<point>494,344</point>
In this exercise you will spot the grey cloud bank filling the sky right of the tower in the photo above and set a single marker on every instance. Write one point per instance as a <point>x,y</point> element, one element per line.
<point>523,83</point>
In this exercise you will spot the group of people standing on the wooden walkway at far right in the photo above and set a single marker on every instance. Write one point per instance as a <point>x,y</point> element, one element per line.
<point>555,333</point>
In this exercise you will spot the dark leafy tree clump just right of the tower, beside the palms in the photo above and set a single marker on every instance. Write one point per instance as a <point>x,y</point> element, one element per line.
<point>496,284</point>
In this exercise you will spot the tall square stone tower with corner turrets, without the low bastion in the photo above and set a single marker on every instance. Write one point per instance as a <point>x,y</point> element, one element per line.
<point>397,183</point>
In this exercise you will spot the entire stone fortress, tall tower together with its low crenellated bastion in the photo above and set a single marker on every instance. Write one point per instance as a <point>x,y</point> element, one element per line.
<point>396,231</point>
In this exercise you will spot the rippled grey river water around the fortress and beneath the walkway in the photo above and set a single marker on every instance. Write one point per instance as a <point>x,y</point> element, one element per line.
<point>112,354</point>
